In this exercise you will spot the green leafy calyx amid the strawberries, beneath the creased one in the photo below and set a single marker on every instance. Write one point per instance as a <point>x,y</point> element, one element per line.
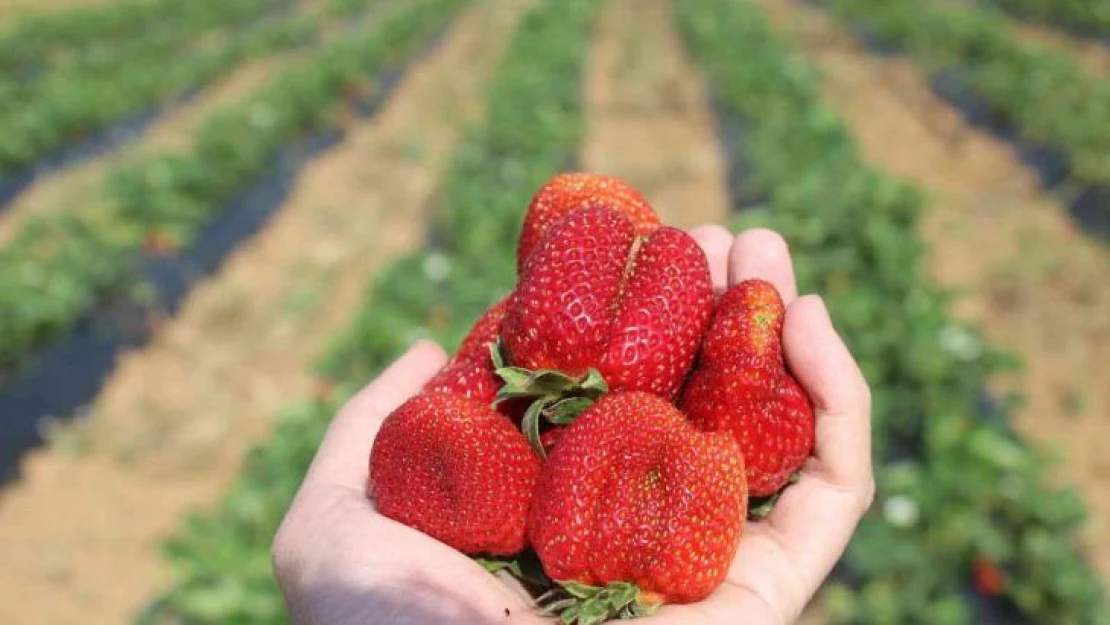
<point>556,397</point>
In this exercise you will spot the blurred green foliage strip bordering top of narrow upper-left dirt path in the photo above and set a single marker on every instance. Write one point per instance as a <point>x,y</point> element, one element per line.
<point>48,112</point>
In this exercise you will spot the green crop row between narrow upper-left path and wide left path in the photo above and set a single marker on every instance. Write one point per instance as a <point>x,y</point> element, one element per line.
<point>60,266</point>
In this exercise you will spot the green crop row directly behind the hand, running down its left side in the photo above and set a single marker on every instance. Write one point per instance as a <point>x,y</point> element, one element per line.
<point>534,127</point>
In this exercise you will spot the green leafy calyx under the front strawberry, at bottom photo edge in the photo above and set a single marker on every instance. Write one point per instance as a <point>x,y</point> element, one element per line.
<point>582,604</point>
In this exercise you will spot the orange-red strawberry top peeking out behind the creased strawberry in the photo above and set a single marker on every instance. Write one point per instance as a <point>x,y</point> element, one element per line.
<point>568,193</point>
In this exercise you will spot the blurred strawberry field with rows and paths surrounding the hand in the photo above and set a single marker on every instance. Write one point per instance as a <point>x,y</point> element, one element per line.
<point>221,219</point>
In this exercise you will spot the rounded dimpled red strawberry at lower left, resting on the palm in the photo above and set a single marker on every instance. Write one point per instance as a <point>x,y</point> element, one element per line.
<point>456,470</point>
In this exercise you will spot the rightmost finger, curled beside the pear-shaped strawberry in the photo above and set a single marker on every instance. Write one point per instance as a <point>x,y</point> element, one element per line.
<point>842,399</point>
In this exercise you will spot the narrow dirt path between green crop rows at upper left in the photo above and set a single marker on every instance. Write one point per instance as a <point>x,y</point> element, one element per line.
<point>78,188</point>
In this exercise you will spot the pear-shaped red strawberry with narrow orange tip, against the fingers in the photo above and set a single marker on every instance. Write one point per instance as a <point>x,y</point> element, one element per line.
<point>742,386</point>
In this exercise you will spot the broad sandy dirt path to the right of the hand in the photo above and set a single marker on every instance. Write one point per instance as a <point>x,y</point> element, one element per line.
<point>1035,283</point>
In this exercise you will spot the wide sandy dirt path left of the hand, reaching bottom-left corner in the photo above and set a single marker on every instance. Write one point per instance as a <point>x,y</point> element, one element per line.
<point>167,436</point>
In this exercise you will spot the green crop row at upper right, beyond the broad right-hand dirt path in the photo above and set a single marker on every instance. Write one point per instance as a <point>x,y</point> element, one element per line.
<point>1043,95</point>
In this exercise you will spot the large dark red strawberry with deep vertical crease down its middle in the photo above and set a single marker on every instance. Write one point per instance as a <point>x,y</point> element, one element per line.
<point>593,297</point>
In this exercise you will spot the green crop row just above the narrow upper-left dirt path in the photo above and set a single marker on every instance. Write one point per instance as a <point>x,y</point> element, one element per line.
<point>70,105</point>
